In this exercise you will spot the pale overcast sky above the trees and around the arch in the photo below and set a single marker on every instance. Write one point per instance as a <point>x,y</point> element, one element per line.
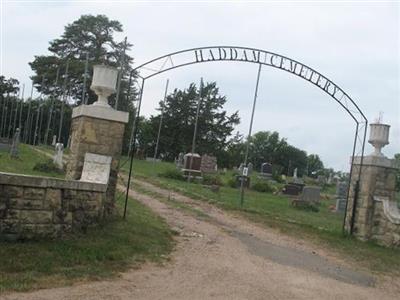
<point>354,43</point>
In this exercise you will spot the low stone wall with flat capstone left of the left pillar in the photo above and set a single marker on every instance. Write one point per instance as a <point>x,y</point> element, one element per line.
<point>39,207</point>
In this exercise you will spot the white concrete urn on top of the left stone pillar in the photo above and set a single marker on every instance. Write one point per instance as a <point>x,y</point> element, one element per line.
<point>103,83</point>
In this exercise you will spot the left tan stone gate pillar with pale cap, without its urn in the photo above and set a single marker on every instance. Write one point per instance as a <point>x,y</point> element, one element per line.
<point>99,130</point>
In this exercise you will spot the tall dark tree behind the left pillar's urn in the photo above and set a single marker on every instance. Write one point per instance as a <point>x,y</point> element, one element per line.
<point>89,34</point>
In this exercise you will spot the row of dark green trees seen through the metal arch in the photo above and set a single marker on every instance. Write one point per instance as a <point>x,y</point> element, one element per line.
<point>215,134</point>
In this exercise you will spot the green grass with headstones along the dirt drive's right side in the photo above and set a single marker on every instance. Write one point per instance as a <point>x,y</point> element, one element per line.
<point>323,227</point>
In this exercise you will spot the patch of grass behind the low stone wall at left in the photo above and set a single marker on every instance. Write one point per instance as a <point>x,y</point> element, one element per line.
<point>28,158</point>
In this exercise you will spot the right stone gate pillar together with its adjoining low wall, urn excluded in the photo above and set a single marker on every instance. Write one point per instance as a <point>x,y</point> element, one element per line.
<point>376,189</point>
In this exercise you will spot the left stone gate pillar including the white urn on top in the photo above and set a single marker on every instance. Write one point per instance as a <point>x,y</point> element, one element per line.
<point>98,129</point>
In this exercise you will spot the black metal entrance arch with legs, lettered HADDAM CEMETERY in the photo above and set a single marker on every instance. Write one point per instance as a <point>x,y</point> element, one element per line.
<point>262,58</point>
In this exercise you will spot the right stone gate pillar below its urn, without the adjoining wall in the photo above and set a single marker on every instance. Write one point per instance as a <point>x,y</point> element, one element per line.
<point>378,179</point>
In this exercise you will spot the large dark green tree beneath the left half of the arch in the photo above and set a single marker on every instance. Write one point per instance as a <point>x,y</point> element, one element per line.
<point>179,113</point>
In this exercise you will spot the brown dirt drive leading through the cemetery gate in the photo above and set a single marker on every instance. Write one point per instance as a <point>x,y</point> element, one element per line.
<point>221,256</point>
